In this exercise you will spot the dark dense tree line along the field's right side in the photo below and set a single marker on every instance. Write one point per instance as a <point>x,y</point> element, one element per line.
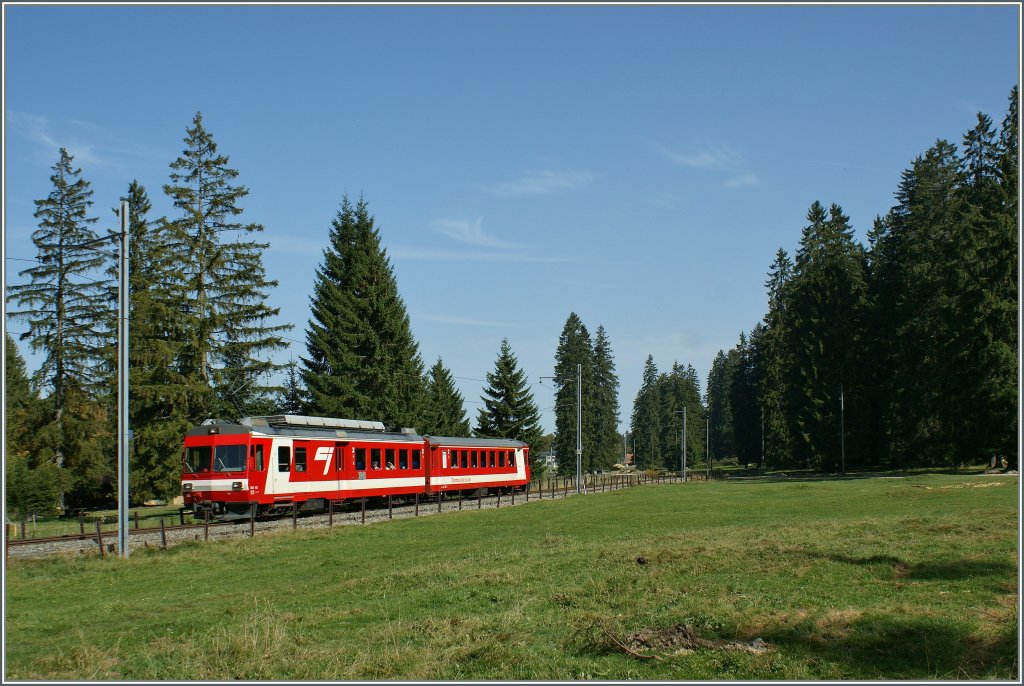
<point>900,354</point>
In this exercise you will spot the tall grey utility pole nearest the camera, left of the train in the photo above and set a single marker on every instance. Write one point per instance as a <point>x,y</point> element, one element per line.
<point>124,432</point>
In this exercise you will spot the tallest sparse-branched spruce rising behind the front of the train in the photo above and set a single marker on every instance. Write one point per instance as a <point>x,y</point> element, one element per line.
<point>223,286</point>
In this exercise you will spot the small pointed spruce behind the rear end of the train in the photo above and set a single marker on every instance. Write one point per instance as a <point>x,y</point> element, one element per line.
<point>509,410</point>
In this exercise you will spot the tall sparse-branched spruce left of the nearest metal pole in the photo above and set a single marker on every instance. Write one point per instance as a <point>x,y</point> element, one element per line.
<point>67,306</point>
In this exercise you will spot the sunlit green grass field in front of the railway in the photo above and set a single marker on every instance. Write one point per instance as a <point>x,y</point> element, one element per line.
<point>842,580</point>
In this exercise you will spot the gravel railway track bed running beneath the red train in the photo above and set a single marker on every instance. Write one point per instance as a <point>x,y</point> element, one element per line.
<point>355,512</point>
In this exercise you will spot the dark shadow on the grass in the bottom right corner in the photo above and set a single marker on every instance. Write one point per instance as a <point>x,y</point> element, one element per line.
<point>901,648</point>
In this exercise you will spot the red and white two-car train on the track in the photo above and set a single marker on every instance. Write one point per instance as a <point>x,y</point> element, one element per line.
<point>275,462</point>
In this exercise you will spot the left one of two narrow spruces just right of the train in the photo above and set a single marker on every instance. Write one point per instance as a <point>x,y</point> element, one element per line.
<point>575,348</point>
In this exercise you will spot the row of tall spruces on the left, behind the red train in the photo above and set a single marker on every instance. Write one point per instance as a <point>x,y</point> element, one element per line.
<point>203,338</point>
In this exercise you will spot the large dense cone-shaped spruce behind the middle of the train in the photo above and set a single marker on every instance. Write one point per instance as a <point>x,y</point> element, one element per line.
<point>363,361</point>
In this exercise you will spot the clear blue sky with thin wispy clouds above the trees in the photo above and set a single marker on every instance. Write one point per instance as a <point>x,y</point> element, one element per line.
<point>638,165</point>
